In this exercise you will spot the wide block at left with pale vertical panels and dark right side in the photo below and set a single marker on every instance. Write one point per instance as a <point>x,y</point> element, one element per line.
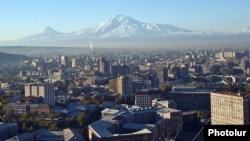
<point>45,90</point>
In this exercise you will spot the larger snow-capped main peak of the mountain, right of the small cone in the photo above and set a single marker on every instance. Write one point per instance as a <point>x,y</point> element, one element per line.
<point>126,27</point>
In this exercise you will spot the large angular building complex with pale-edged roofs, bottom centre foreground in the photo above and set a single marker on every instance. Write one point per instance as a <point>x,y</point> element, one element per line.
<point>136,123</point>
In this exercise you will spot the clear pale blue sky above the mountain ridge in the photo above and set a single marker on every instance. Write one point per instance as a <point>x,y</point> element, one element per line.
<point>20,18</point>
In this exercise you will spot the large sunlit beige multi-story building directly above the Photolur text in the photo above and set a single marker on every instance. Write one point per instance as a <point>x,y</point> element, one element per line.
<point>230,108</point>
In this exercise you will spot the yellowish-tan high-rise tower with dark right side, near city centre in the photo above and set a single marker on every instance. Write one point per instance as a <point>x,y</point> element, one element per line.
<point>124,85</point>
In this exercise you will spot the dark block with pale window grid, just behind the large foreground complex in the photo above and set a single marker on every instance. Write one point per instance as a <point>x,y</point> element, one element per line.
<point>144,97</point>
